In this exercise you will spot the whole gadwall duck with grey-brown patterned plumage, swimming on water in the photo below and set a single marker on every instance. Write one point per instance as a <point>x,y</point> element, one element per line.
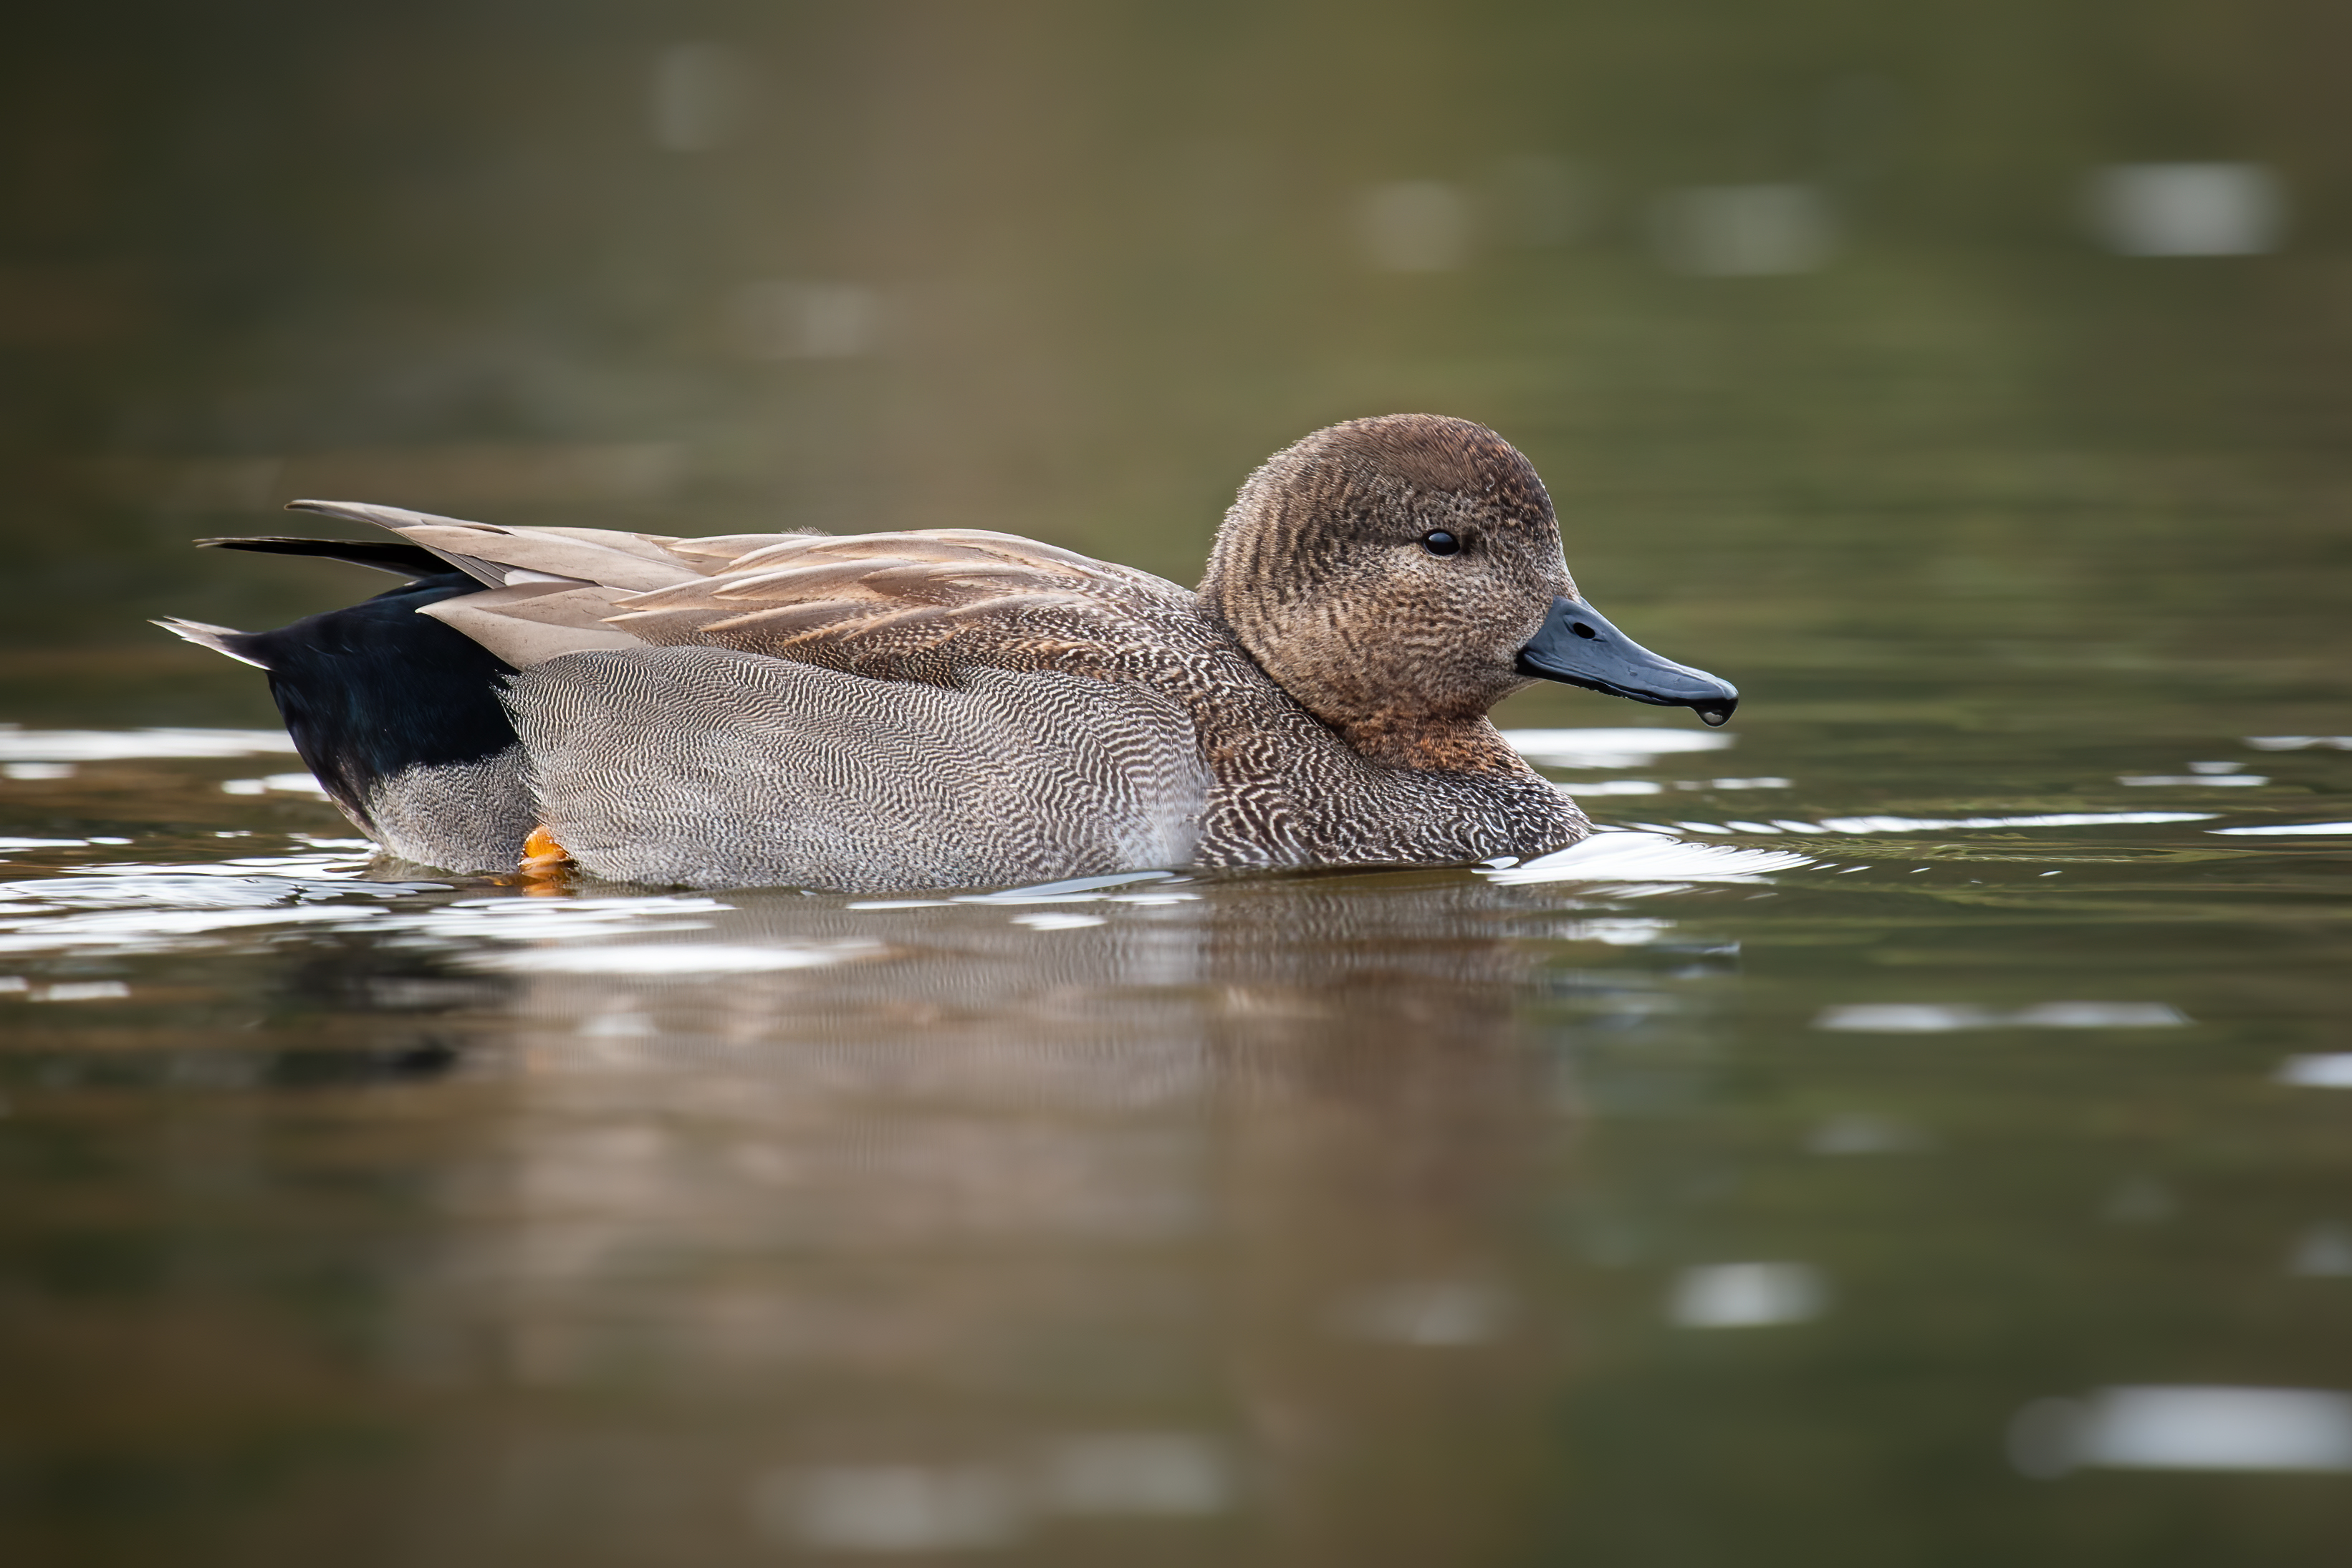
<point>965,709</point>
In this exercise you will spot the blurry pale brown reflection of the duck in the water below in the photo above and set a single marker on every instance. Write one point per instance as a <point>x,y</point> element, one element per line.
<point>1231,1177</point>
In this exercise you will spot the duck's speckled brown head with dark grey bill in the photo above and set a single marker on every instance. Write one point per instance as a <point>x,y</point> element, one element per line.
<point>1403,575</point>
